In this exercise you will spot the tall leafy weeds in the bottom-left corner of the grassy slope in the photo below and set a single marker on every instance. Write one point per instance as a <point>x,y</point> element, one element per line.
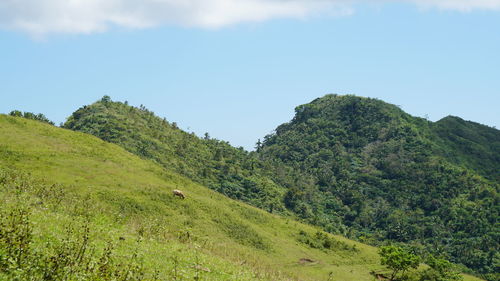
<point>72,258</point>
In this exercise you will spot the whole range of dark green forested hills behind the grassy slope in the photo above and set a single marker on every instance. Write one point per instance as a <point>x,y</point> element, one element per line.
<point>354,166</point>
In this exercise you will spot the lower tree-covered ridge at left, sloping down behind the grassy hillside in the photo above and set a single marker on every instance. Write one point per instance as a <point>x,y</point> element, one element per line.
<point>214,163</point>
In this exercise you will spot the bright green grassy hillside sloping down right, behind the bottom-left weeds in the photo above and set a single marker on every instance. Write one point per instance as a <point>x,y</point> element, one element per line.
<point>109,198</point>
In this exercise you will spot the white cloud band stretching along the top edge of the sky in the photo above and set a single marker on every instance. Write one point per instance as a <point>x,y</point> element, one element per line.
<point>41,17</point>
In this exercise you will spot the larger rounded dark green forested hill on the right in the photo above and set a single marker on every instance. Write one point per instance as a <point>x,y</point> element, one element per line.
<point>390,176</point>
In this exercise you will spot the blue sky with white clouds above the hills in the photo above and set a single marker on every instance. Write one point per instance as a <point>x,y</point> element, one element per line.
<point>237,68</point>
